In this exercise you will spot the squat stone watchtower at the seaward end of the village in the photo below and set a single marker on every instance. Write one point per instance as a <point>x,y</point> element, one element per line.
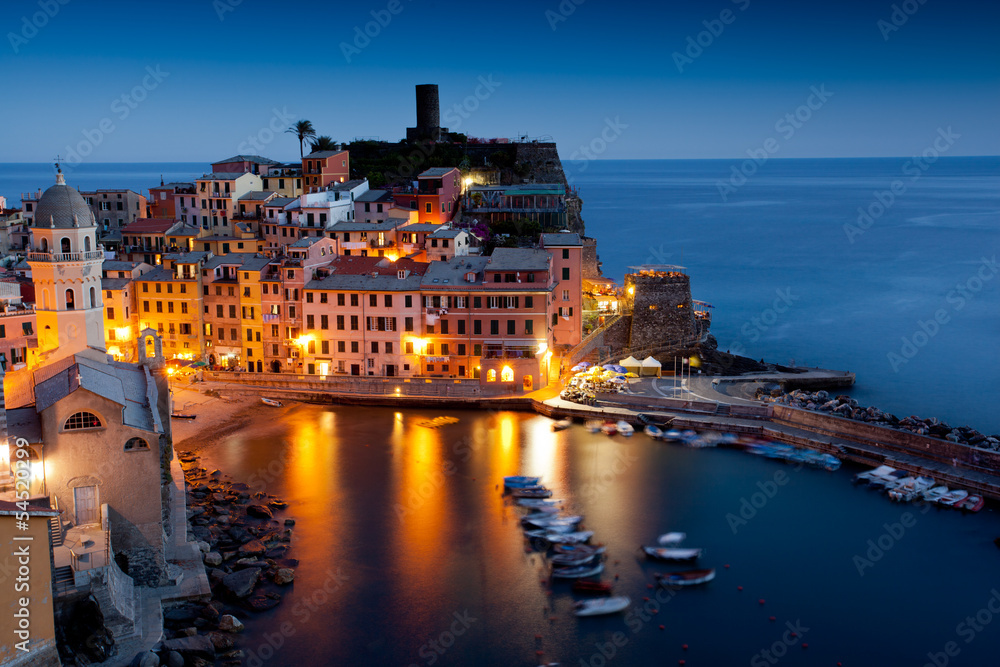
<point>659,297</point>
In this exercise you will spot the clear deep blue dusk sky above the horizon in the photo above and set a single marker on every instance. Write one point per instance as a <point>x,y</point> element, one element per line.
<point>185,80</point>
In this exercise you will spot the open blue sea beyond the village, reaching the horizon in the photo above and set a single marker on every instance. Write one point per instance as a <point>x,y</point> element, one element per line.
<point>883,267</point>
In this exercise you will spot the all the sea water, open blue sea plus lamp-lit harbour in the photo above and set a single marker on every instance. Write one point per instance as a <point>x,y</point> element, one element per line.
<point>410,555</point>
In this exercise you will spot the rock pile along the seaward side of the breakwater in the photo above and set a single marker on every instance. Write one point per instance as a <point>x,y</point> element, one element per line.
<point>847,407</point>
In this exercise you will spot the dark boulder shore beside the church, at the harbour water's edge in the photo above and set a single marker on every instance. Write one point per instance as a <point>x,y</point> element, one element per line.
<point>245,550</point>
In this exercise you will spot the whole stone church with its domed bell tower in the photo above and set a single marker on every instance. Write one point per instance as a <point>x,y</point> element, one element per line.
<point>99,430</point>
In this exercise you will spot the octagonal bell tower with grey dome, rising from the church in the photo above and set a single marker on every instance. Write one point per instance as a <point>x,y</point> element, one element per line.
<point>66,269</point>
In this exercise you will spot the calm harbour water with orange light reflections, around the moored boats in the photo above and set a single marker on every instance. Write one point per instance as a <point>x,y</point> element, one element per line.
<point>410,556</point>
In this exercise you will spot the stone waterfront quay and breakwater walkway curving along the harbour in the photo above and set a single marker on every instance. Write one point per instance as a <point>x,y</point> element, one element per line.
<point>701,402</point>
